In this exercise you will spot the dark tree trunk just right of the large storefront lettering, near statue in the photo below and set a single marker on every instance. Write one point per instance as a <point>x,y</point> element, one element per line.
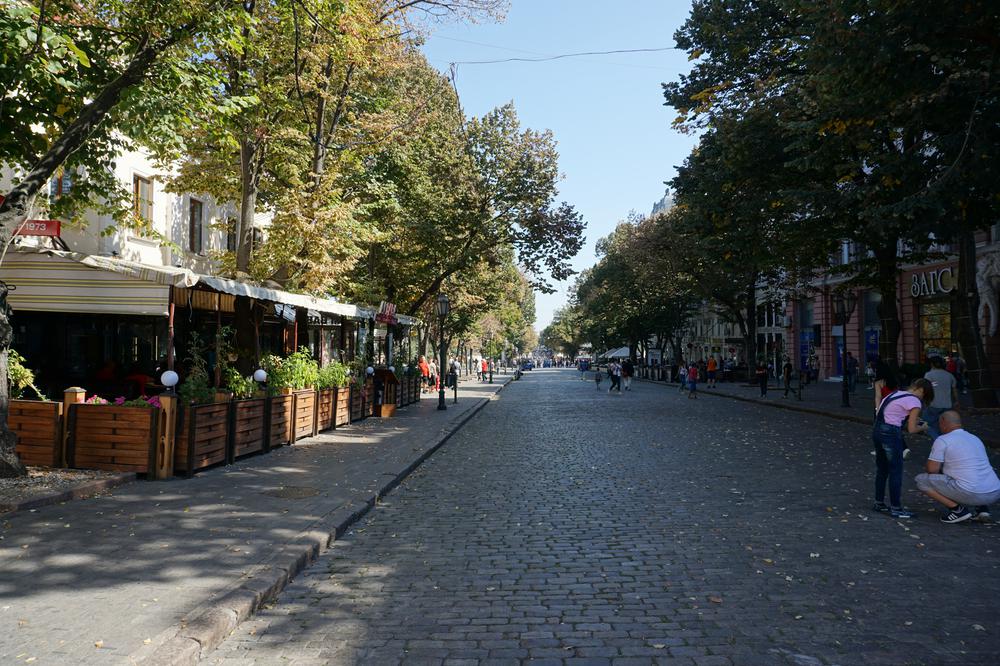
<point>965,301</point>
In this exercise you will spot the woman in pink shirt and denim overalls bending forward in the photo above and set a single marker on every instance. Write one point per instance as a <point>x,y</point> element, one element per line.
<point>899,410</point>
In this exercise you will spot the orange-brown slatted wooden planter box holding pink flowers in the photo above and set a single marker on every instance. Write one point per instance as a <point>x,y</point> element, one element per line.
<point>120,439</point>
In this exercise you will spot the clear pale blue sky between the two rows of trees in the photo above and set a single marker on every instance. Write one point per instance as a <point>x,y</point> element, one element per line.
<point>616,145</point>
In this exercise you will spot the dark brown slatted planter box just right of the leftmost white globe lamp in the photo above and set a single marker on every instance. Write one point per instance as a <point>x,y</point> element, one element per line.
<point>202,436</point>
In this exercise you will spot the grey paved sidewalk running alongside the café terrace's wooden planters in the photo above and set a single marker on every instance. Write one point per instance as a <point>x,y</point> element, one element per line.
<point>111,580</point>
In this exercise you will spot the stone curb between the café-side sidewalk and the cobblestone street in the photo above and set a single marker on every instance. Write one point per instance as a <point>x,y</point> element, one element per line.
<point>214,623</point>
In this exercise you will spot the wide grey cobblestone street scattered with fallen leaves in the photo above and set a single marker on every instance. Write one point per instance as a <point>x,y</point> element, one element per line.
<point>565,525</point>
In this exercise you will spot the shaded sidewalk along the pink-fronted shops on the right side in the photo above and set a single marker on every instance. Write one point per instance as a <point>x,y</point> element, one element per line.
<point>824,398</point>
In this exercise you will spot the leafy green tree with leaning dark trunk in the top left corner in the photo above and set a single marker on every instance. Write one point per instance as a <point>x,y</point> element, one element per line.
<point>78,77</point>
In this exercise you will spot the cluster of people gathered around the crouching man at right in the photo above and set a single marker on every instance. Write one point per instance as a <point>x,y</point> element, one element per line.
<point>958,473</point>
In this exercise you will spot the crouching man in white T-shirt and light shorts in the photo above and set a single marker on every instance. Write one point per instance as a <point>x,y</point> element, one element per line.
<point>959,474</point>
